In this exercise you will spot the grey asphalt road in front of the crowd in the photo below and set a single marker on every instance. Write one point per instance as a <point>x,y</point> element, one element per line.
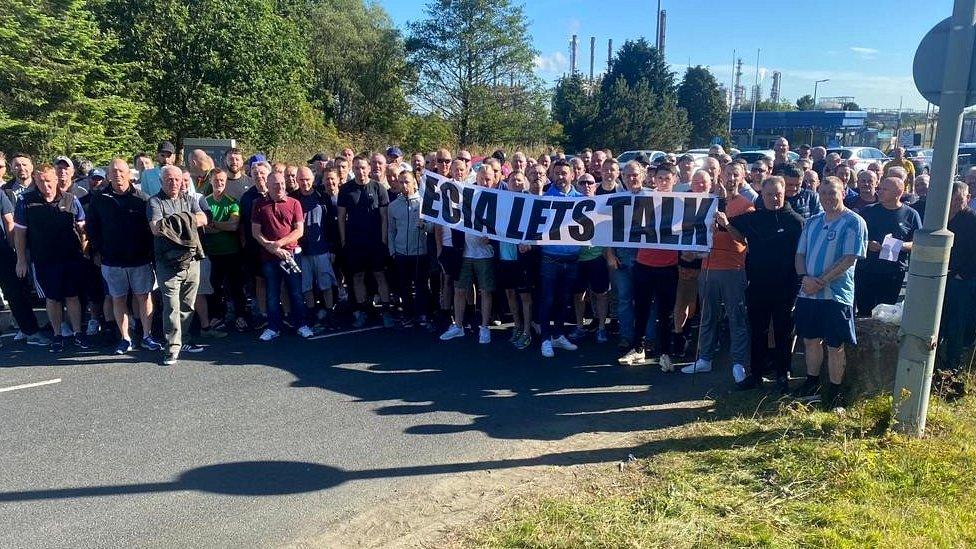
<point>252,444</point>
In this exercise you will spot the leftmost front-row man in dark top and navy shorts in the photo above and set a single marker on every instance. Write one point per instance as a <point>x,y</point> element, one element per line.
<point>50,234</point>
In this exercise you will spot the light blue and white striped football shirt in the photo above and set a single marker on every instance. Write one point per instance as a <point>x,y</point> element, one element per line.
<point>823,243</point>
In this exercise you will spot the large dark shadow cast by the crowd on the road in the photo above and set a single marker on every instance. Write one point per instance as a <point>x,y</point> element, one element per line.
<point>500,391</point>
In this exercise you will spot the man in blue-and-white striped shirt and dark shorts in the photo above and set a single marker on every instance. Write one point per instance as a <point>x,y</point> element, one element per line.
<point>830,245</point>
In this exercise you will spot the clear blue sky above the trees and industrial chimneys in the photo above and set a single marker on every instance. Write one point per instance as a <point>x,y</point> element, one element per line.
<point>866,49</point>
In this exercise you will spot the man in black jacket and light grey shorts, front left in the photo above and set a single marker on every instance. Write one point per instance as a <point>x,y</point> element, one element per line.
<point>122,245</point>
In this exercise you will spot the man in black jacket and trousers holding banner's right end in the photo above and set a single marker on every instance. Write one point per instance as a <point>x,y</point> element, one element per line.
<point>771,234</point>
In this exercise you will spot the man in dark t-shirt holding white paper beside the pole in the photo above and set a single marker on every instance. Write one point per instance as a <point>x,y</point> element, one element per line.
<point>891,228</point>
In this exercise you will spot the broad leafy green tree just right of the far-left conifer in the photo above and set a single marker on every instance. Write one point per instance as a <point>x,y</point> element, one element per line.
<point>214,68</point>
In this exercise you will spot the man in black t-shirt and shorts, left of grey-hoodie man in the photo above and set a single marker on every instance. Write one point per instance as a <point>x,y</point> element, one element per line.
<point>362,212</point>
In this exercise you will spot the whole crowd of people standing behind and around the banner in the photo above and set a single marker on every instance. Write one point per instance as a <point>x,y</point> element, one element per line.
<point>243,244</point>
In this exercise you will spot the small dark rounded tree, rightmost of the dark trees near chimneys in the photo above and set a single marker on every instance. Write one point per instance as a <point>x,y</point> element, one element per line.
<point>700,97</point>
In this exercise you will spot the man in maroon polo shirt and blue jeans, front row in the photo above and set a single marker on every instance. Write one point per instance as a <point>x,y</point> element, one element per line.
<point>277,223</point>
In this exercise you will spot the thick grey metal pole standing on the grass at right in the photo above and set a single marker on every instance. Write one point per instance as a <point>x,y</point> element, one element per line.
<point>930,251</point>
